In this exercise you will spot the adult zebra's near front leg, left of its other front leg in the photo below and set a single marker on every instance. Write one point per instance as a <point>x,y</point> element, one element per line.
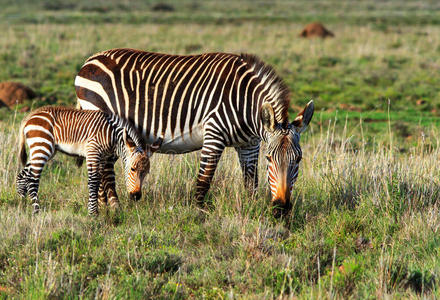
<point>210,156</point>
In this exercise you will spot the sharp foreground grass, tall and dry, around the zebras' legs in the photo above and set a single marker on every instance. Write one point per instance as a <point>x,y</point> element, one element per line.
<point>364,224</point>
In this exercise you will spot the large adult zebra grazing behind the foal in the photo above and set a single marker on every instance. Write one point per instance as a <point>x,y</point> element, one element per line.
<point>208,102</point>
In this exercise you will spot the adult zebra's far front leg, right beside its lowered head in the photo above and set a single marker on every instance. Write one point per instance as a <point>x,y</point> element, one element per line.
<point>248,158</point>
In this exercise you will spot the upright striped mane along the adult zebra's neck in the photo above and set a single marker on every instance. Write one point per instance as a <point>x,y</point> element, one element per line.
<point>280,99</point>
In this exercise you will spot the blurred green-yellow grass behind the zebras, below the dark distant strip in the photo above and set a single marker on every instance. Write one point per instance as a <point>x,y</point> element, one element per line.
<point>361,69</point>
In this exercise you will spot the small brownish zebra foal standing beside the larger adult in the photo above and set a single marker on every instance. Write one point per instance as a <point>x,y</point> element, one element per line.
<point>98,137</point>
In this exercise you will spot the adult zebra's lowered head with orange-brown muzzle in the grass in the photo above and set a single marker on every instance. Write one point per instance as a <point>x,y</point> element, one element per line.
<point>283,153</point>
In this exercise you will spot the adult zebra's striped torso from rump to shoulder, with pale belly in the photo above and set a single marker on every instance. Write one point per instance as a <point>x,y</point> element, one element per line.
<point>168,96</point>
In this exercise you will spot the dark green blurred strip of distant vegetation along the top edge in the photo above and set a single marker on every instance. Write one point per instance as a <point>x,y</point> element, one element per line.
<point>391,12</point>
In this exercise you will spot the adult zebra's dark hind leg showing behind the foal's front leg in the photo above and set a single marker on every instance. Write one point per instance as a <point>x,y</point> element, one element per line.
<point>107,190</point>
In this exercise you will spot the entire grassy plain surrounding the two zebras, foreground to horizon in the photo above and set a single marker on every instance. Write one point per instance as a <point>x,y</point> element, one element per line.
<point>365,222</point>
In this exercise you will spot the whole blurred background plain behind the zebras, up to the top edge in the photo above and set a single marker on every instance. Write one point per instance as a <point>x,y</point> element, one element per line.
<point>383,53</point>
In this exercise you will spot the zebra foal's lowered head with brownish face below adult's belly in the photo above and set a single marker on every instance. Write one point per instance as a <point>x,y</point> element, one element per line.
<point>136,161</point>
